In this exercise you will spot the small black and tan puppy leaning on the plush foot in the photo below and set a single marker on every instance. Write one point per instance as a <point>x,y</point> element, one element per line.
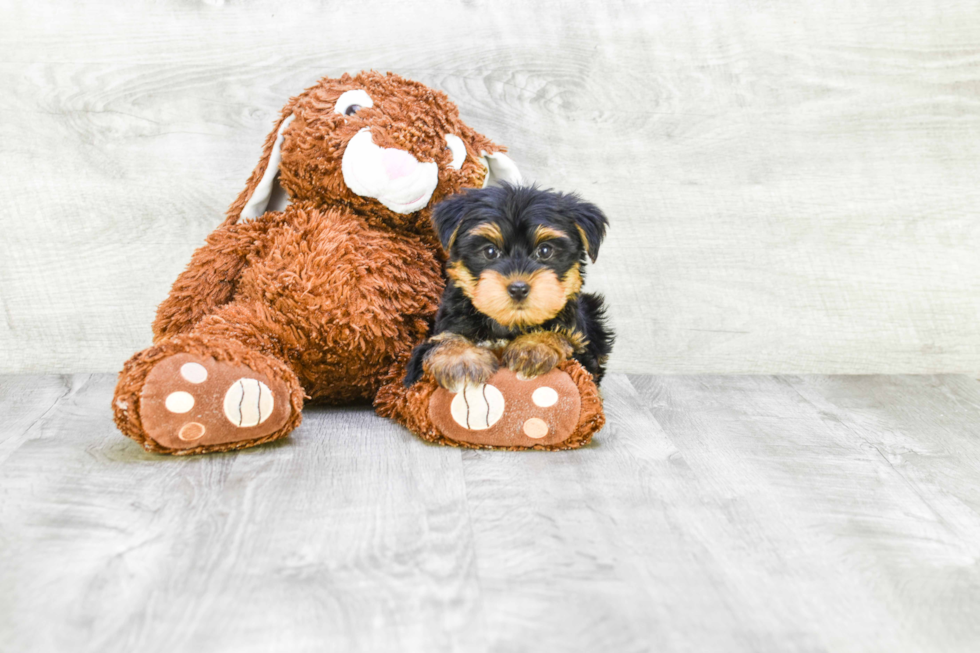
<point>516,267</point>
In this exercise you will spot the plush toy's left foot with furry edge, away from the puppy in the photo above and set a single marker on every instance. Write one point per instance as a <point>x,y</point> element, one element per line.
<point>213,389</point>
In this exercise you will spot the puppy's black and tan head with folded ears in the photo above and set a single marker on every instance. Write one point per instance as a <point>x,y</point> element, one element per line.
<point>517,252</point>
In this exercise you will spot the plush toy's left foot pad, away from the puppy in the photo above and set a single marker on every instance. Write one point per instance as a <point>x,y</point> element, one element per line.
<point>192,401</point>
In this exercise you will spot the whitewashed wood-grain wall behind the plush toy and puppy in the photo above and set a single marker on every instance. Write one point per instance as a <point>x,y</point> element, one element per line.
<point>793,186</point>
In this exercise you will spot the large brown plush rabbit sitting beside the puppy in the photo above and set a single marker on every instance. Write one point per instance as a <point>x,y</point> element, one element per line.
<point>323,277</point>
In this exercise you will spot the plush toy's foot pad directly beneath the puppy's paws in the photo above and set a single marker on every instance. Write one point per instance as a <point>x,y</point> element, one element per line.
<point>509,411</point>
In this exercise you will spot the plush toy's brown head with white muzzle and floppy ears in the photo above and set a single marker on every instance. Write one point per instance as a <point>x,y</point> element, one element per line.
<point>386,147</point>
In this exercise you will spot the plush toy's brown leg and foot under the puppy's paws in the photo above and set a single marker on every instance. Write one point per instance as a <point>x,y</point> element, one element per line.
<point>558,410</point>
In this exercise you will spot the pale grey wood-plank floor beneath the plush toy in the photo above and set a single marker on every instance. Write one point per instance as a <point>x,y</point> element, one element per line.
<point>712,514</point>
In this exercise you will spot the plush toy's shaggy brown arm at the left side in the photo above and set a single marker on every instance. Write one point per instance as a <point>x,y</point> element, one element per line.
<point>210,278</point>
